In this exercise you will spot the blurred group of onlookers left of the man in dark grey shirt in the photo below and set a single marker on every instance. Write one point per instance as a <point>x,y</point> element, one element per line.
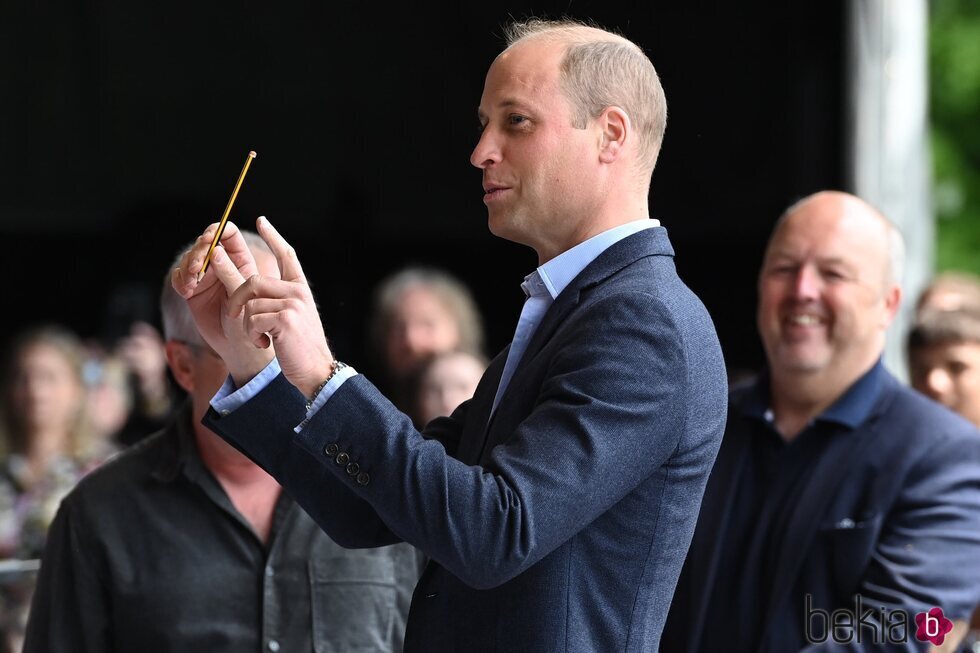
<point>67,406</point>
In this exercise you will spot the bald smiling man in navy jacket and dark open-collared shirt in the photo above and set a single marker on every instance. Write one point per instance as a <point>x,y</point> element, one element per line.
<point>839,497</point>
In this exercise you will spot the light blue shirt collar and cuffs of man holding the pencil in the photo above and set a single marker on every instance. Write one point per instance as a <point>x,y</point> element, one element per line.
<point>542,287</point>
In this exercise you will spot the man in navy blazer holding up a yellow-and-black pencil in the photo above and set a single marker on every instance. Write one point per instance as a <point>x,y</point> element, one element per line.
<point>557,504</point>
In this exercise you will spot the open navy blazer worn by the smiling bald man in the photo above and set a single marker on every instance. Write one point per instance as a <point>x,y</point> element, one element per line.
<point>891,512</point>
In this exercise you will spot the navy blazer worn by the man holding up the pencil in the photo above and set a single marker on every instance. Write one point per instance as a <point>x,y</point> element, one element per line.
<point>562,522</point>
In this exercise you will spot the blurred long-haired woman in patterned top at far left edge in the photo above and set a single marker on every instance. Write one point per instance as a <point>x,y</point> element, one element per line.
<point>47,449</point>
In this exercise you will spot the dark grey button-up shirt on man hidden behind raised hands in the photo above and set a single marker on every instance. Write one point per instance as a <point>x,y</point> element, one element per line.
<point>148,554</point>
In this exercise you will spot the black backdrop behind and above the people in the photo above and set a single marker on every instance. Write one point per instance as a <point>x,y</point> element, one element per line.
<point>123,127</point>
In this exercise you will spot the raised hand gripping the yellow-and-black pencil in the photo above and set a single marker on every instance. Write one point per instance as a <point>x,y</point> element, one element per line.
<point>231,264</point>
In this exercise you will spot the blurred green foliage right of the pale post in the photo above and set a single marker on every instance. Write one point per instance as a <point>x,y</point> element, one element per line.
<point>954,97</point>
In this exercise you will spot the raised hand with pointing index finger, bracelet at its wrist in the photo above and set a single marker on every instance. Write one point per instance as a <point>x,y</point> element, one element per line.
<point>284,311</point>
